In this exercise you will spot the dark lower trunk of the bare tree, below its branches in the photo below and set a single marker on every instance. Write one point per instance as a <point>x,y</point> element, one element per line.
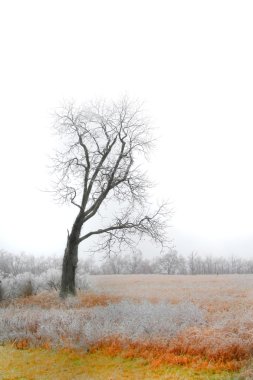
<point>70,259</point>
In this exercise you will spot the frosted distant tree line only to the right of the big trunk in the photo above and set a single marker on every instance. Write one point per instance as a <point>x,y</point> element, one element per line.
<point>170,263</point>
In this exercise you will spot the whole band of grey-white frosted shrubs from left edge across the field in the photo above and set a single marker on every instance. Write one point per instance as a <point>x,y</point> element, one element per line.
<point>86,326</point>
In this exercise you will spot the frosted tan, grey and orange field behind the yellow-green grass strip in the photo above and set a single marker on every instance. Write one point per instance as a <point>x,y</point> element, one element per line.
<point>206,316</point>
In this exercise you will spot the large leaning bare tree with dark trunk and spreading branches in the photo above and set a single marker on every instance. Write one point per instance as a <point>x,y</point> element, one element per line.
<point>98,171</point>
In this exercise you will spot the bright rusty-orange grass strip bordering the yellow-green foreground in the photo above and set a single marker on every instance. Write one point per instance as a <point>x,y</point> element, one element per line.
<point>190,349</point>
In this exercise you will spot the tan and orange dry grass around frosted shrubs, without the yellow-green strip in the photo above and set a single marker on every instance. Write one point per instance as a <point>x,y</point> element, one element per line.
<point>224,343</point>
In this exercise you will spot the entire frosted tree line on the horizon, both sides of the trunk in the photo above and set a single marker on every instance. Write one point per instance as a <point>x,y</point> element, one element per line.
<point>170,263</point>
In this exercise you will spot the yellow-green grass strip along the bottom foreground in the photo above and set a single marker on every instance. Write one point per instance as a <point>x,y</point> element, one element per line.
<point>43,364</point>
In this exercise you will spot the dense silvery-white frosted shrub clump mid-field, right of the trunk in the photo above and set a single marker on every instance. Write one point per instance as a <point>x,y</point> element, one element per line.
<point>145,320</point>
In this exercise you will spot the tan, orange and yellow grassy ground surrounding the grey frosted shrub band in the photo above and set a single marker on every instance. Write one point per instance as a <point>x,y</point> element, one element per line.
<point>222,349</point>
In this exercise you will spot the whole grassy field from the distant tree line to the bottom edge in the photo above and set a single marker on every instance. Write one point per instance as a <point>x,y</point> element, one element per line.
<point>133,327</point>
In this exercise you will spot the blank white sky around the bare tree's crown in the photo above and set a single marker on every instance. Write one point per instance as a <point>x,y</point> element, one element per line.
<point>192,64</point>
